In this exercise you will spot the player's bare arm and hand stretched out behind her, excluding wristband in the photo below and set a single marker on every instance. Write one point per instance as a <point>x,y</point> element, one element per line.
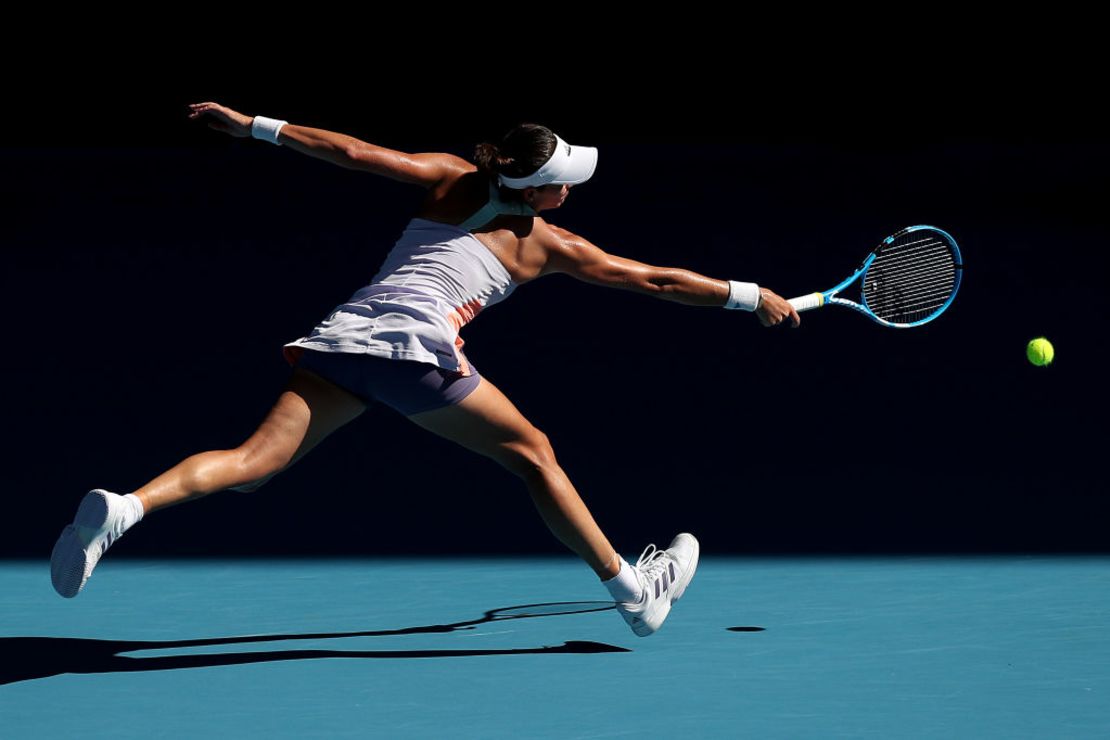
<point>341,149</point>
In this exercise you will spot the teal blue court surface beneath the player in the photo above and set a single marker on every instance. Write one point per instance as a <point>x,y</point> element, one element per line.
<point>899,647</point>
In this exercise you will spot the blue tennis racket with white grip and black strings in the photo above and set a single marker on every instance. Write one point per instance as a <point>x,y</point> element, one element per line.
<point>909,280</point>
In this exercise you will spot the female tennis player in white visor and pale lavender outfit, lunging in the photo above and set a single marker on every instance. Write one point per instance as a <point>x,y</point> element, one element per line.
<point>396,342</point>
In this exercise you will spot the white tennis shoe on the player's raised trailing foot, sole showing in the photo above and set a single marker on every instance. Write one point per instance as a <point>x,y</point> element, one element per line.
<point>100,521</point>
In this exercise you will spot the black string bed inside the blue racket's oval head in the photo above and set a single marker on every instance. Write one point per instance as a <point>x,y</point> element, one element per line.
<point>911,278</point>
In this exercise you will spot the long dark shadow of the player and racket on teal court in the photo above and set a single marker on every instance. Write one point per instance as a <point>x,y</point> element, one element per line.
<point>26,658</point>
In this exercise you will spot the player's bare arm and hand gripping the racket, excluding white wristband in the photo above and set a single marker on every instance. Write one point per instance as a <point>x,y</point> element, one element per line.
<point>574,256</point>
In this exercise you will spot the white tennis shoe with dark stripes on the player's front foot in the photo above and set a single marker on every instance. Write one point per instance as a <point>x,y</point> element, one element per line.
<point>664,576</point>
